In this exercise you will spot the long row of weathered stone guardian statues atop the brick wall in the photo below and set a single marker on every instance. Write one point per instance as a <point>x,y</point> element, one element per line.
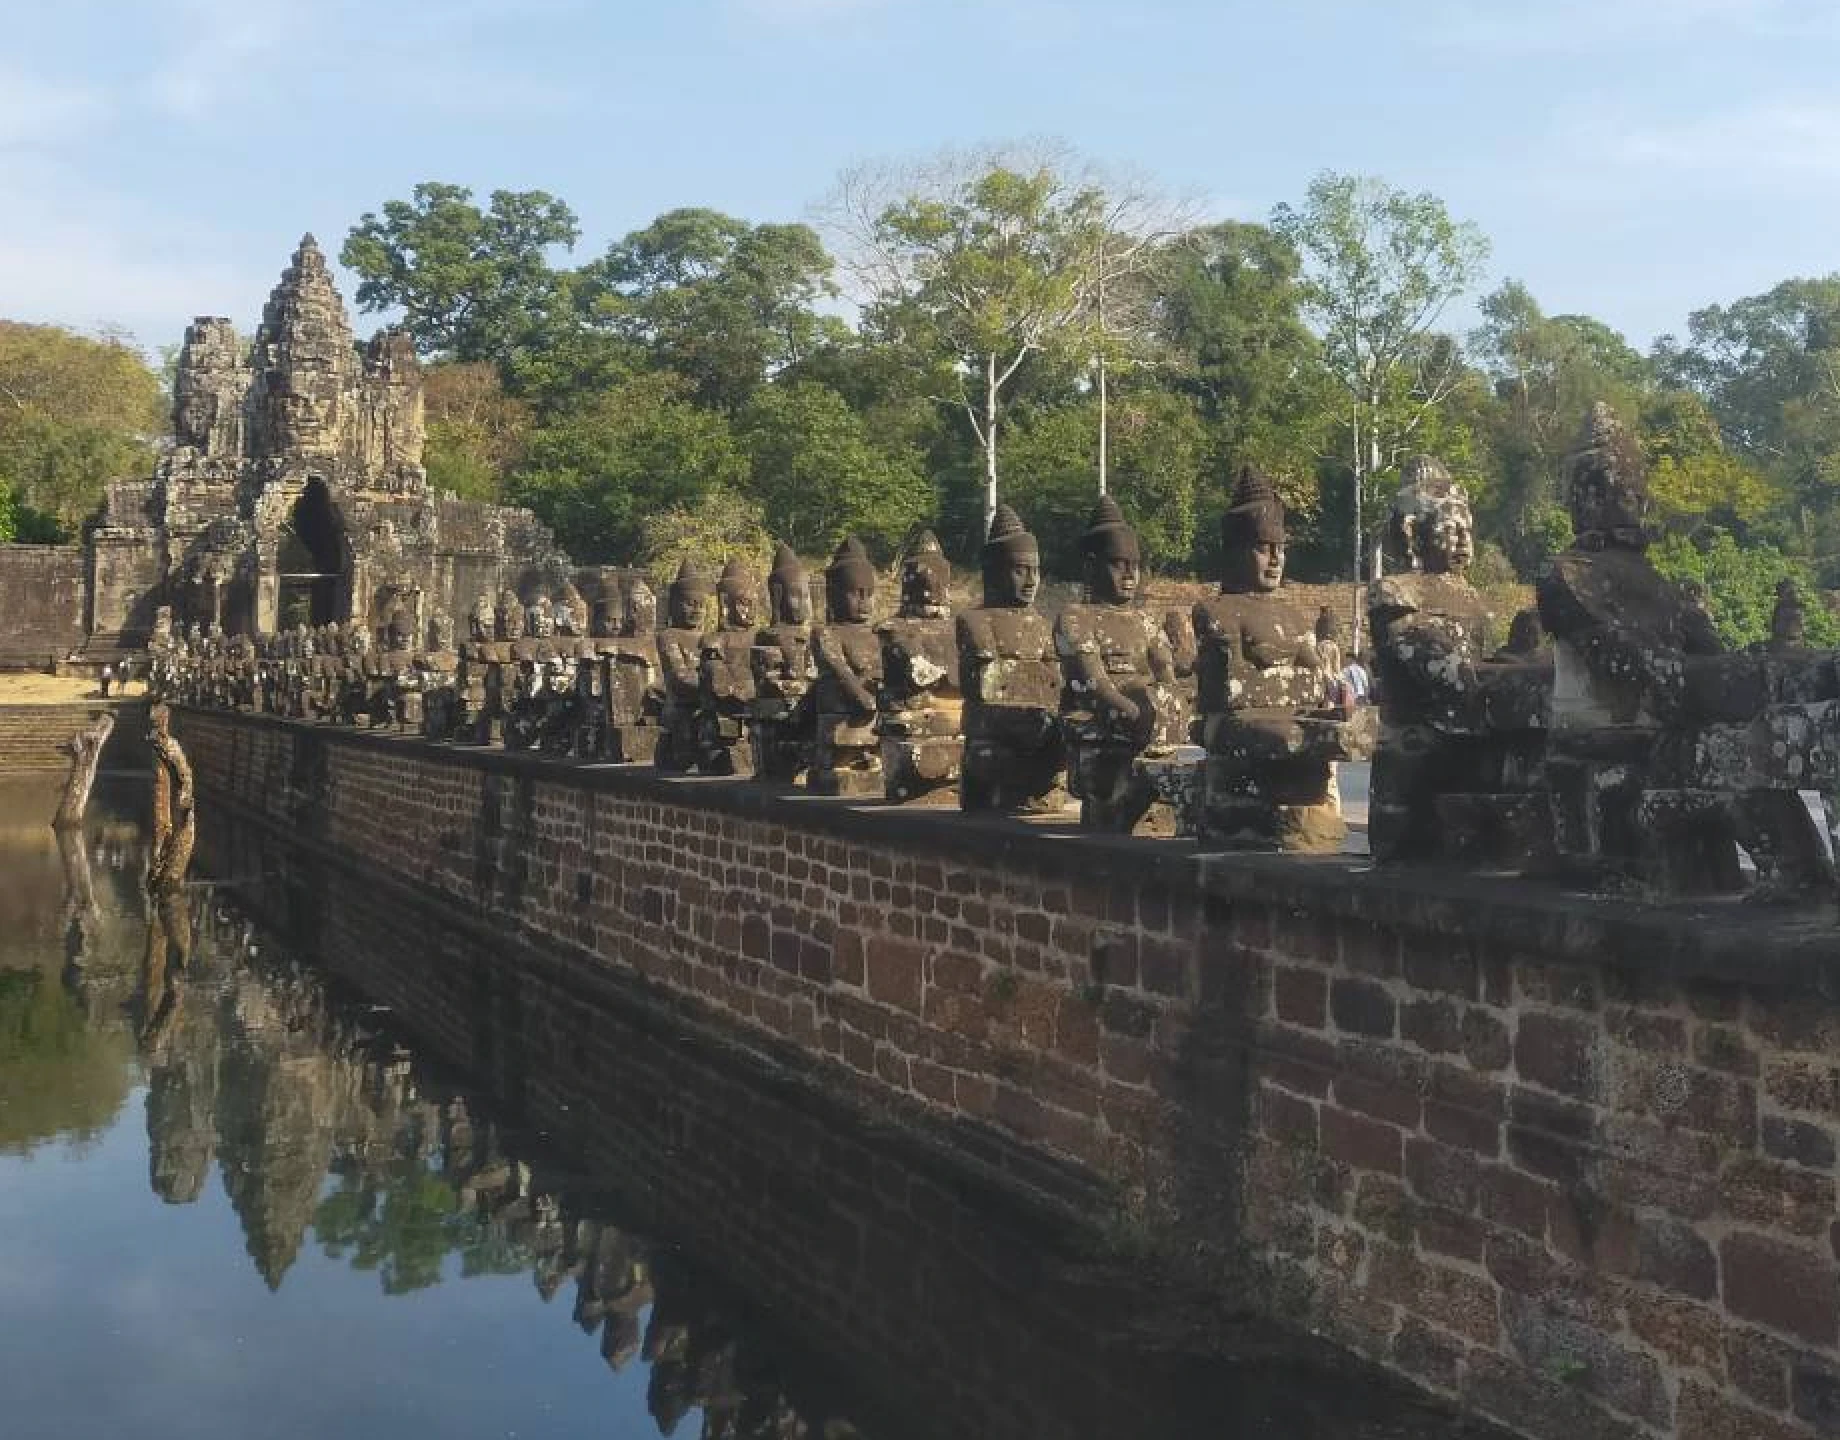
<point>1611,742</point>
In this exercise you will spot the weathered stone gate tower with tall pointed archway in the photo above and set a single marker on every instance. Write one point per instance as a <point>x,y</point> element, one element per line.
<point>293,488</point>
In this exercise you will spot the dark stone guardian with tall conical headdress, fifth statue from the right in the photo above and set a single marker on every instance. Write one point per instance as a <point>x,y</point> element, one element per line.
<point>1015,753</point>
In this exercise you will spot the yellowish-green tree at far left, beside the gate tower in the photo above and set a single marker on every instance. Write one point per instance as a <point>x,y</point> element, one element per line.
<point>76,413</point>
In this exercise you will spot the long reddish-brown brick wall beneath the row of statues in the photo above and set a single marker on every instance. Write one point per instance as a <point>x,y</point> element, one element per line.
<point>1569,1161</point>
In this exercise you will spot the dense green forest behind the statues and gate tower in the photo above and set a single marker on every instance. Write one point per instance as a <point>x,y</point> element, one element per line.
<point>1015,325</point>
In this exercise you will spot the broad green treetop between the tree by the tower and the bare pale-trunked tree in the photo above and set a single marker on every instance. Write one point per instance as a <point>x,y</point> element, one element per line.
<point>722,303</point>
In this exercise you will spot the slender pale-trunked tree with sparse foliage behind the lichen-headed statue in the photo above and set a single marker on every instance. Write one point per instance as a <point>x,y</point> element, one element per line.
<point>1381,266</point>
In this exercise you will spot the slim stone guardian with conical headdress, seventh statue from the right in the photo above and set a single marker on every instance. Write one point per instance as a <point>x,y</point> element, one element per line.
<point>847,657</point>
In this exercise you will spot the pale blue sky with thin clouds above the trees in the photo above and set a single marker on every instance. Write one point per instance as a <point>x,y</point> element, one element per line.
<point>1631,159</point>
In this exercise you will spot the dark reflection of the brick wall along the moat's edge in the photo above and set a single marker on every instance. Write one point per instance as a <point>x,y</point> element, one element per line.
<point>954,1310</point>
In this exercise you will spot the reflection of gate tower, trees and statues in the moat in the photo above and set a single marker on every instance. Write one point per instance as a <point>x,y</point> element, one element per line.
<point>321,1121</point>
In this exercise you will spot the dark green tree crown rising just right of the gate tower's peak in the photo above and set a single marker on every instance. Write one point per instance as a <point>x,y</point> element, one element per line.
<point>472,284</point>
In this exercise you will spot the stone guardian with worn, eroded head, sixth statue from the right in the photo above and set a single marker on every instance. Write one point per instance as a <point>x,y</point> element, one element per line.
<point>921,707</point>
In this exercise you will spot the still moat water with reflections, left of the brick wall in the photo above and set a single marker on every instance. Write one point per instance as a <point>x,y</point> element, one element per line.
<point>242,1196</point>
